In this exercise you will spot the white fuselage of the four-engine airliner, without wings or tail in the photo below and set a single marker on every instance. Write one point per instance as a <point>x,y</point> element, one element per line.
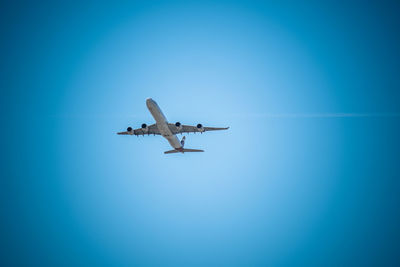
<point>162,123</point>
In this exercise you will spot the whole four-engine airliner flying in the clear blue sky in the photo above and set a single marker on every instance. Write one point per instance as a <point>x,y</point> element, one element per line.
<point>168,130</point>
